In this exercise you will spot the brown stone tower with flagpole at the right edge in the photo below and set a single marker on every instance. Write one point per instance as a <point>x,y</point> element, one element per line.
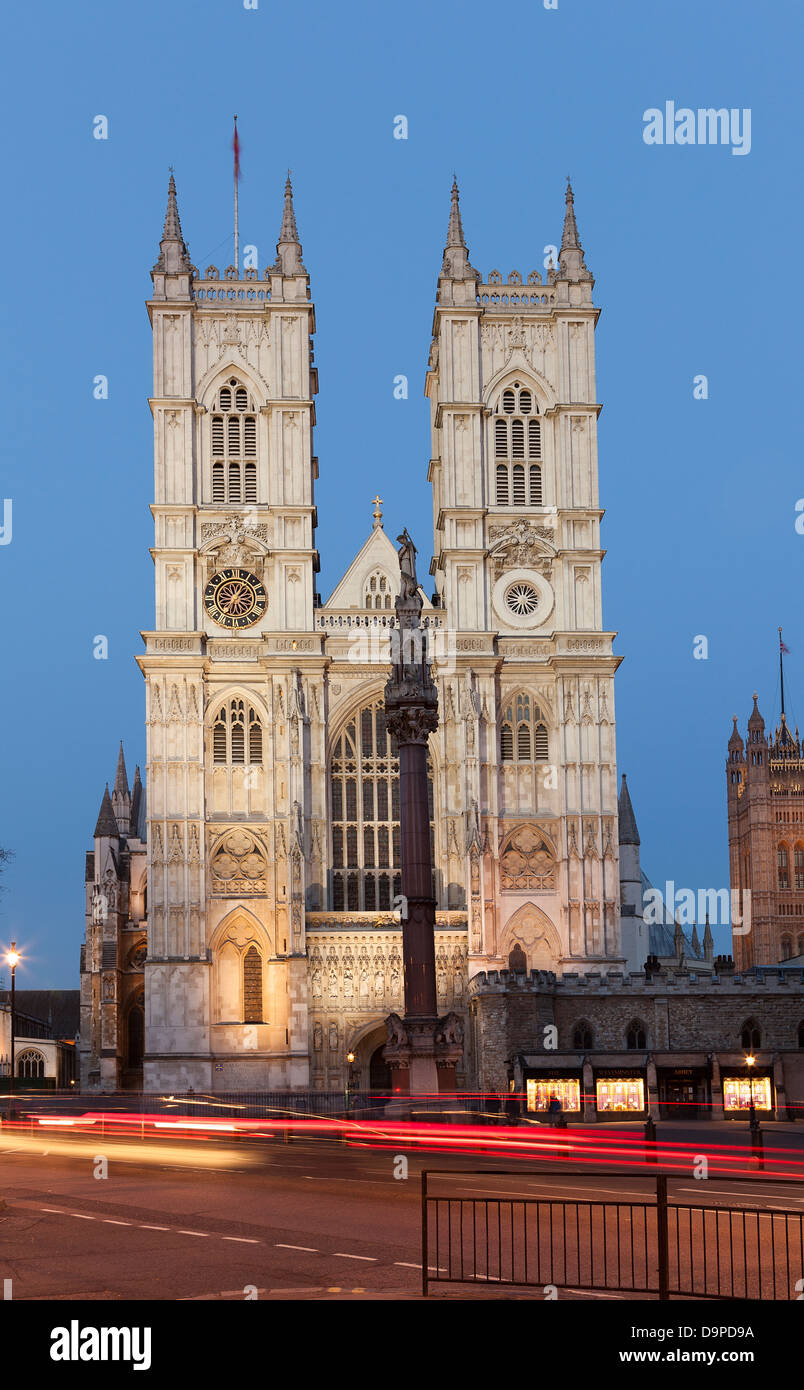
<point>766,808</point>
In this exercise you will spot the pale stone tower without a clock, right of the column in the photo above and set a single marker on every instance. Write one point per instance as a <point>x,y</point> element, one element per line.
<point>528,715</point>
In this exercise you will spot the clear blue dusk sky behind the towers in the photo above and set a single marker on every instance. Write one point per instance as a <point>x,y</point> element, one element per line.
<point>698,266</point>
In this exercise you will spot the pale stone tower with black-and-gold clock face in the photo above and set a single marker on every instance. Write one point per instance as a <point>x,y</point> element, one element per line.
<point>230,668</point>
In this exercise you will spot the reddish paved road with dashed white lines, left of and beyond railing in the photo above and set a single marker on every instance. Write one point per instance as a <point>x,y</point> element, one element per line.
<point>309,1220</point>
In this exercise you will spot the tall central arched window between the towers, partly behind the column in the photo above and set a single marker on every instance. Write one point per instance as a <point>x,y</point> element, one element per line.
<point>365,808</point>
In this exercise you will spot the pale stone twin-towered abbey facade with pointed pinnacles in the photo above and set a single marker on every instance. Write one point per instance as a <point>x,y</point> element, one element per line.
<point>241,919</point>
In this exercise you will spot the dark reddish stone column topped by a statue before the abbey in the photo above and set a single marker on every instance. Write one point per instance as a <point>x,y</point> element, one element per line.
<point>422,1049</point>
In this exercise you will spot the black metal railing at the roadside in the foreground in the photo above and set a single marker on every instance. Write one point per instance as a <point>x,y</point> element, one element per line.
<point>652,1245</point>
